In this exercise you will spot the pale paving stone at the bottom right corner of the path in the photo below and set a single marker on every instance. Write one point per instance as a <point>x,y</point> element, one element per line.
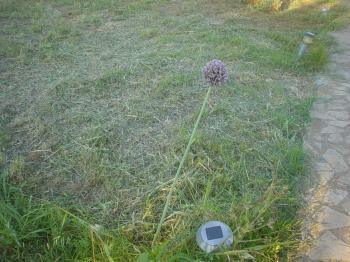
<point>329,247</point>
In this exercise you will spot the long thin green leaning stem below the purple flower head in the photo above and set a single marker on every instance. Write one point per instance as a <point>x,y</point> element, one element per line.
<point>184,157</point>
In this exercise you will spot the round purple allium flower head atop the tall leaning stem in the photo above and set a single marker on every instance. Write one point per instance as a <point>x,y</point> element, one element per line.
<point>215,72</point>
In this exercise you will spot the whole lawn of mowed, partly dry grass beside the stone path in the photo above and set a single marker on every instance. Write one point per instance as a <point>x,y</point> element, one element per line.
<point>98,99</point>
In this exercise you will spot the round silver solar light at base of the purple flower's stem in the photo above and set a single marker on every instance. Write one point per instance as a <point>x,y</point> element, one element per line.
<point>214,235</point>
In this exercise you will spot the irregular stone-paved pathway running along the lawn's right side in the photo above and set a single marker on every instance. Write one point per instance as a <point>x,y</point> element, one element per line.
<point>328,142</point>
